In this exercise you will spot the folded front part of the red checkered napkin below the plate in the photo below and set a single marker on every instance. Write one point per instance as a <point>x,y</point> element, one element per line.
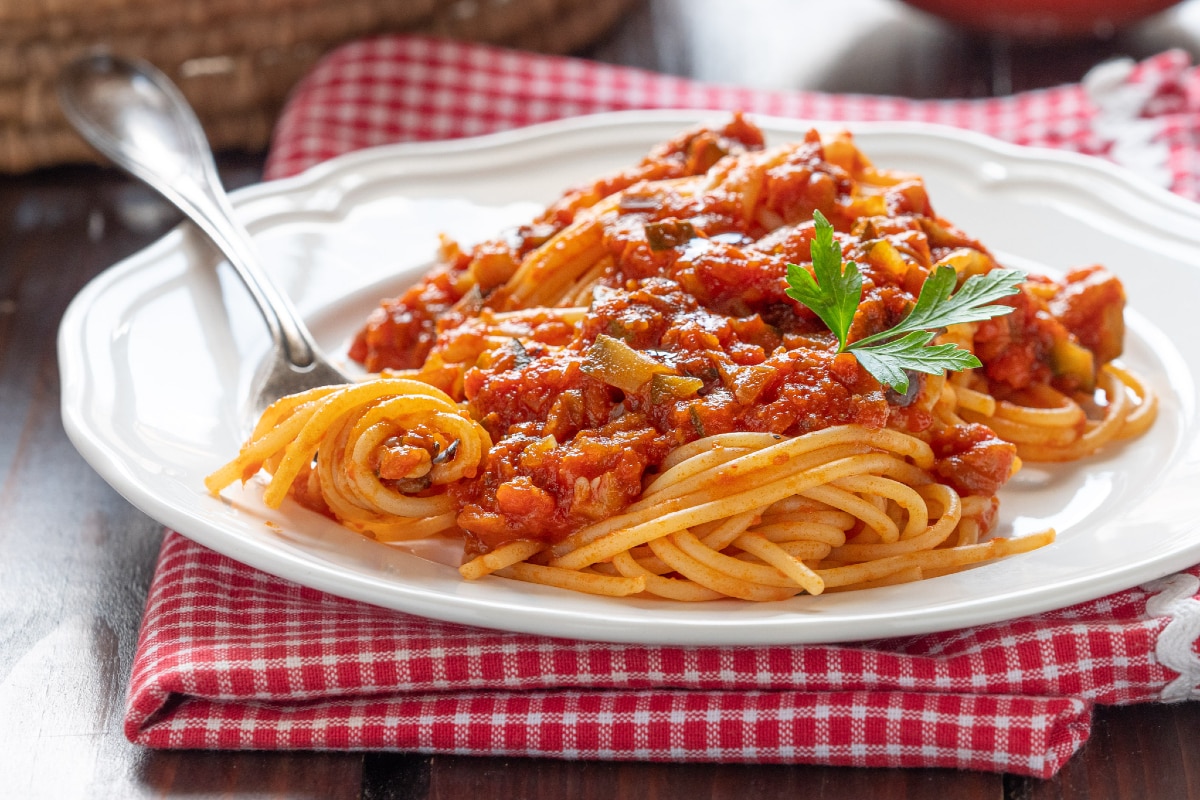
<point>235,659</point>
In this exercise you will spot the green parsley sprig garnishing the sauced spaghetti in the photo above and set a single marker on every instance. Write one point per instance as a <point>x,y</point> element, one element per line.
<point>837,291</point>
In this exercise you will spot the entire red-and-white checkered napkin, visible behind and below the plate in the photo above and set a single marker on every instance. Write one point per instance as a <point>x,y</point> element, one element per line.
<point>231,658</point>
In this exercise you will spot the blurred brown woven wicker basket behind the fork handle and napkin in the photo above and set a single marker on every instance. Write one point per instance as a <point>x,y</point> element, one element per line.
<point>238,59</point>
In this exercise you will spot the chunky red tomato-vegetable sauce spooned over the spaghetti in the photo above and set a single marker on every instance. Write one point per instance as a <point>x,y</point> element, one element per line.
<point>700,288</point>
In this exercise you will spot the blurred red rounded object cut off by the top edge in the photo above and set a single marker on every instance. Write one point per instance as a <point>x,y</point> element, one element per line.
<point>1043,19</point>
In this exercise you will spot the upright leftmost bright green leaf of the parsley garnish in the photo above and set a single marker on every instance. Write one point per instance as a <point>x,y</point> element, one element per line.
<point>835,296</point>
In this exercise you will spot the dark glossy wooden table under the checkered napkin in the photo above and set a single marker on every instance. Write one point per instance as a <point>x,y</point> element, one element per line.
<point>76,560</point>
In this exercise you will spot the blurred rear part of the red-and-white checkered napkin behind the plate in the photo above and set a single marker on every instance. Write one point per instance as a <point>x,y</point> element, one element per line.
<point>404,89</point>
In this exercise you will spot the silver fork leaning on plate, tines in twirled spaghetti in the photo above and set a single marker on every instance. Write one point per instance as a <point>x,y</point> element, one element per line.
<point>136,117</point>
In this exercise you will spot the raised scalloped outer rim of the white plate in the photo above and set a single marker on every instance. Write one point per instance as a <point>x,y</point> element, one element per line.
<point>476,605</point>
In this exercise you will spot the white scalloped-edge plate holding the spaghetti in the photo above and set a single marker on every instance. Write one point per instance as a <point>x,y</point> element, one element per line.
<point>158,353</point>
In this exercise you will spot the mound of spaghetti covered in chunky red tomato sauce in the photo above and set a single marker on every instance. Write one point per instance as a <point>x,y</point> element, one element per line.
<point>621,399</point>
